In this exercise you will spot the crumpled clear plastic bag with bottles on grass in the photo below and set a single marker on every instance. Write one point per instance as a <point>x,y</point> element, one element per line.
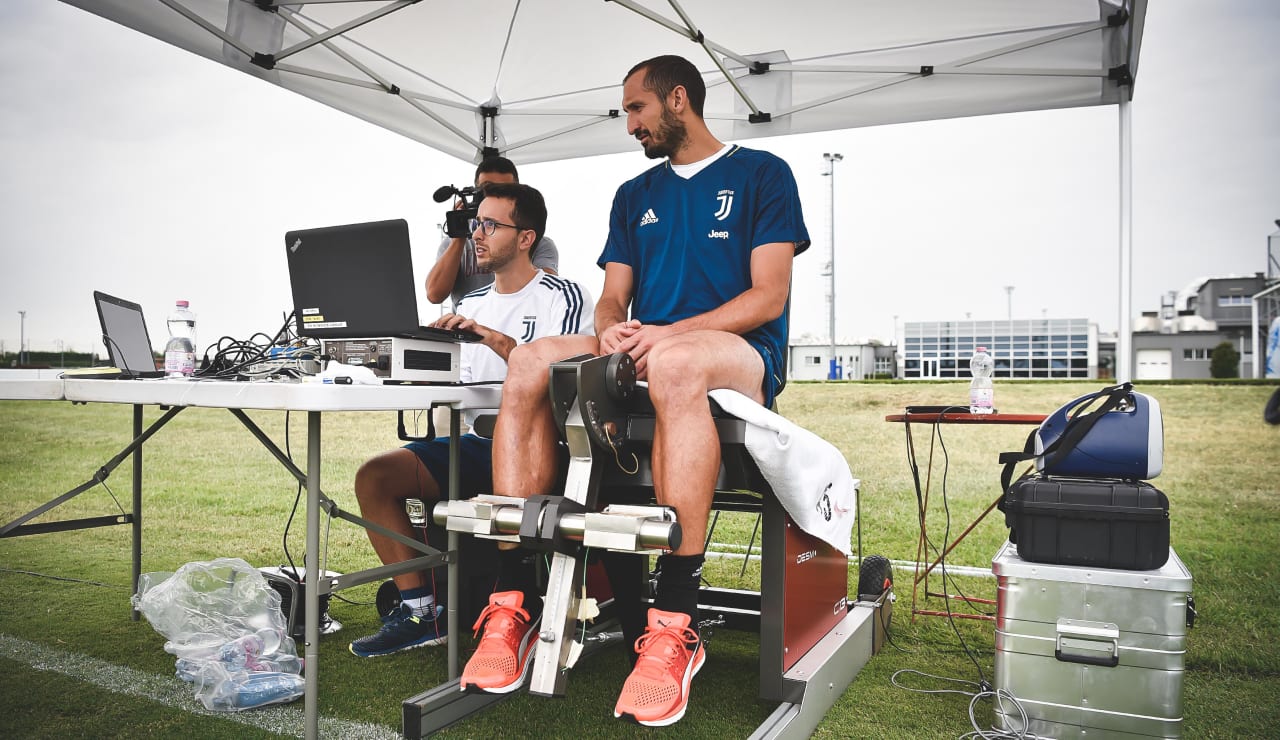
<point>225,625</point>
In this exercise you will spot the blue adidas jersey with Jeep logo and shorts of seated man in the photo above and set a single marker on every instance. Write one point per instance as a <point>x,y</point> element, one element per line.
<point>689,241</point>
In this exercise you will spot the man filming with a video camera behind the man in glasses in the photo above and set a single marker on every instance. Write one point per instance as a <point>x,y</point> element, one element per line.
<point>456,273</point>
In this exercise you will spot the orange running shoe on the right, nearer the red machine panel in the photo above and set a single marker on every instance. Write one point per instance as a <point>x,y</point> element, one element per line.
<point>657,692</point>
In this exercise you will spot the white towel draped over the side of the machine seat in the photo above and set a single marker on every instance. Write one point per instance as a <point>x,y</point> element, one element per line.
<point>807,473</point>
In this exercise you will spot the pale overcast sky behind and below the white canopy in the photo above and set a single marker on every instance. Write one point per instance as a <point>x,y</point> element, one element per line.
<point>143,171</point>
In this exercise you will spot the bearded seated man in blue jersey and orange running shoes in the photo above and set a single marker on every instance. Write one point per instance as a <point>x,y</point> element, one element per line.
<point>697,280</point>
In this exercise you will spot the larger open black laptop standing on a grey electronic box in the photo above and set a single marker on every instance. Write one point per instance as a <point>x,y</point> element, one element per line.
<point>356,281</point>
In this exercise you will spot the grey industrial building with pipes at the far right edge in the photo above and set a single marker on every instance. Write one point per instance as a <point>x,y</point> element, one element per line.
<point>1180,340</point>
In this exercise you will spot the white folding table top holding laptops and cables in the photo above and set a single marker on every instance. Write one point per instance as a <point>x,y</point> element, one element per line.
<point>291,396</point>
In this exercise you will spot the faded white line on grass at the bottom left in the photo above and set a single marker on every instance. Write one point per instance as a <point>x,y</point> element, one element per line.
<point>171,692</point>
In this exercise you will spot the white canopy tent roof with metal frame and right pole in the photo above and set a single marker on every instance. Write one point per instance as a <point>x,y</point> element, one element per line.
<point>541,80</point>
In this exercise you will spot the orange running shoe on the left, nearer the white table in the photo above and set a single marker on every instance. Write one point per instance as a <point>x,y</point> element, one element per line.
<point>506,651</point>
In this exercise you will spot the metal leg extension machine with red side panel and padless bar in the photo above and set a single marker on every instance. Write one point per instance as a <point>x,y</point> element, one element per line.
<point>813,638</point>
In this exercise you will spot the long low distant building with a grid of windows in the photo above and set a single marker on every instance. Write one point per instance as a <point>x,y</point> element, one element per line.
<point>1021,348</point>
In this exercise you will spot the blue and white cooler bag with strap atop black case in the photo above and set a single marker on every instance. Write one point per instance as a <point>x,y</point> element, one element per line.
<point>1122,438</point>
